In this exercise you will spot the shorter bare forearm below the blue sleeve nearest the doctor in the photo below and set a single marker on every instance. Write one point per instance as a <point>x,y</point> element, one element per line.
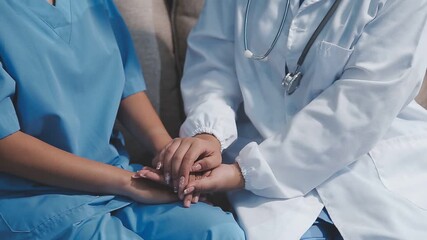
<point>139,117</point>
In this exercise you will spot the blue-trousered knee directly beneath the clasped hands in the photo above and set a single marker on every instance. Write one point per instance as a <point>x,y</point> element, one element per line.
<point>172,221</point>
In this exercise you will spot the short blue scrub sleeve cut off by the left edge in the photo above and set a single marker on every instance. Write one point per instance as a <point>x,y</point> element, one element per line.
<point>8,120</point>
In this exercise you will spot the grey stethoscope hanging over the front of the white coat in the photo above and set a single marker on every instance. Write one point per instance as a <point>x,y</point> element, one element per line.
<point>292,80</point>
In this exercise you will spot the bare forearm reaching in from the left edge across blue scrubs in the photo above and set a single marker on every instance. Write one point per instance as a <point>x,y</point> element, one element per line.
<point>25,156</point>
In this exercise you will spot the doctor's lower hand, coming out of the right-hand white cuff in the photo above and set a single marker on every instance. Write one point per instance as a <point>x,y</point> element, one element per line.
<point>223,178</point>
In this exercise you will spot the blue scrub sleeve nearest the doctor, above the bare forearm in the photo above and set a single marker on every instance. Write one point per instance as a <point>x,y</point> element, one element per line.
<point>134,79</point>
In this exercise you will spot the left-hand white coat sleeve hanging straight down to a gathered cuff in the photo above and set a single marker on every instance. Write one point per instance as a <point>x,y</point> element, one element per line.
<point>209,87</point>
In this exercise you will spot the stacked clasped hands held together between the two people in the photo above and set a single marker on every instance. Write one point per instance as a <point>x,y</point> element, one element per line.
<point>192,166</point>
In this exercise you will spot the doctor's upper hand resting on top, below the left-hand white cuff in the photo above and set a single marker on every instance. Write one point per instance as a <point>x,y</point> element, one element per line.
<point>185,155</point>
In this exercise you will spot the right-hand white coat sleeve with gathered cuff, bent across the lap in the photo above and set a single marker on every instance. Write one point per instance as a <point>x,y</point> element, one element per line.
<point>344,122</point>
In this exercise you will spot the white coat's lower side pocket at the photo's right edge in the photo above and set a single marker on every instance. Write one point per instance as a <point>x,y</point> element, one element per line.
<point>401,163</point>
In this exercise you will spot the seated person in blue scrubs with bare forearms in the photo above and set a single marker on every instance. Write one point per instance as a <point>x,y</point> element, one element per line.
<point>67,70</point>
